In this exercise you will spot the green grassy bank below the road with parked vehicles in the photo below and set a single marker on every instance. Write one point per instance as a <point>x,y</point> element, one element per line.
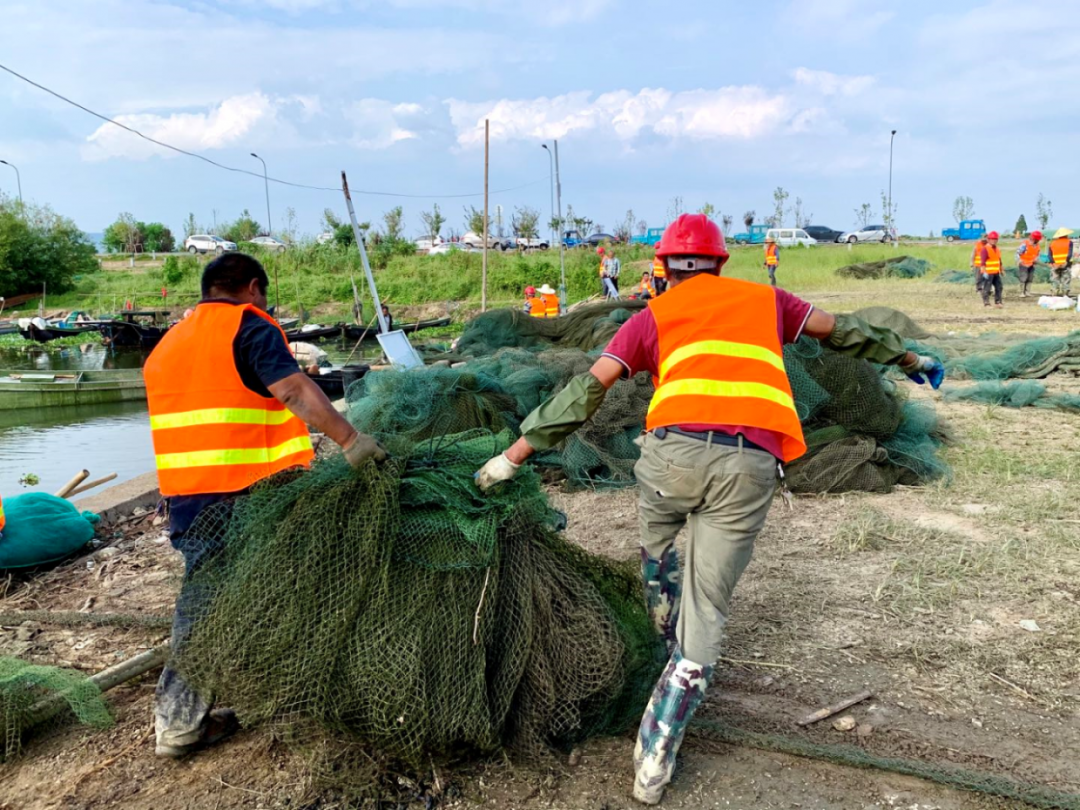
<point>320,279</point>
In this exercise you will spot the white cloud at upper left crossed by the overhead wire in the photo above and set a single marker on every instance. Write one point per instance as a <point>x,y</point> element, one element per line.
<point>225,126</point>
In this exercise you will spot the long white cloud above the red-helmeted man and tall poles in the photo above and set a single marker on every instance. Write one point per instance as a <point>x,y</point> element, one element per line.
<point>728,113</point>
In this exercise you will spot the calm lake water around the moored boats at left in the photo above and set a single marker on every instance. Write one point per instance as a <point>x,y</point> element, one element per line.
<point>55,444</point>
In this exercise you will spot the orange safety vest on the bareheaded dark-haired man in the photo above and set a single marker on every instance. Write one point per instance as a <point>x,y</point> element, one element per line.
<point>211,433</point>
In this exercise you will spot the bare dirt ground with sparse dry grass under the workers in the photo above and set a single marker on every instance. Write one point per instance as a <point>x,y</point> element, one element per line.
<point>957,605</point>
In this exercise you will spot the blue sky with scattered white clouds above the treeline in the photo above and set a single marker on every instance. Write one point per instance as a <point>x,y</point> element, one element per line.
<point>712,102</point>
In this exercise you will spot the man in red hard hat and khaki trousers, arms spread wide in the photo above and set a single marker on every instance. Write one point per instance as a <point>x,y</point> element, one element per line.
<point>722,418</point>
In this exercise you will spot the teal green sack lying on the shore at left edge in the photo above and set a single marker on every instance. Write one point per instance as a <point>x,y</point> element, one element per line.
<point>43,529</point>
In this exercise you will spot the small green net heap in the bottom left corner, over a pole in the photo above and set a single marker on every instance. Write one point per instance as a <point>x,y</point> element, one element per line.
<point>34,698</point>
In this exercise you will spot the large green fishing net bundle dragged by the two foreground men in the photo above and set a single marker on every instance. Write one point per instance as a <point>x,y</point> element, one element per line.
<point>400,609</point>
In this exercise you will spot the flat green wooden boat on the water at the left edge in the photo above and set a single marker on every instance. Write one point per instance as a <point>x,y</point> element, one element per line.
<point>25,389</point>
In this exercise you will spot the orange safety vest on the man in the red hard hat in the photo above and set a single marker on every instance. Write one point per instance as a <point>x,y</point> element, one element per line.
<point>722,360</point>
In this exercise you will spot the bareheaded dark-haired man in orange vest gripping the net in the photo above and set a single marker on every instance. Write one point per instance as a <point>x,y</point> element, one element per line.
<point>229,407</point>
